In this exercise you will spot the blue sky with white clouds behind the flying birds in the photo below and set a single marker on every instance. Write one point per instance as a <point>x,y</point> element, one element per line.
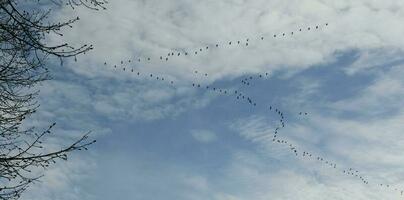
<point>177,141</point>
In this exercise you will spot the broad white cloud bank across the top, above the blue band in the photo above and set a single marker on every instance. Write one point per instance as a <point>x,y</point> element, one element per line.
<point>129,29</point>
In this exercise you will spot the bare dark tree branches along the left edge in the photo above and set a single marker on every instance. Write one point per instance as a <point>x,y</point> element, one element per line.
<point>24,26</point>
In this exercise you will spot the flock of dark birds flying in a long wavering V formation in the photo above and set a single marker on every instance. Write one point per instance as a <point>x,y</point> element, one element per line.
<point>243,97</point>
